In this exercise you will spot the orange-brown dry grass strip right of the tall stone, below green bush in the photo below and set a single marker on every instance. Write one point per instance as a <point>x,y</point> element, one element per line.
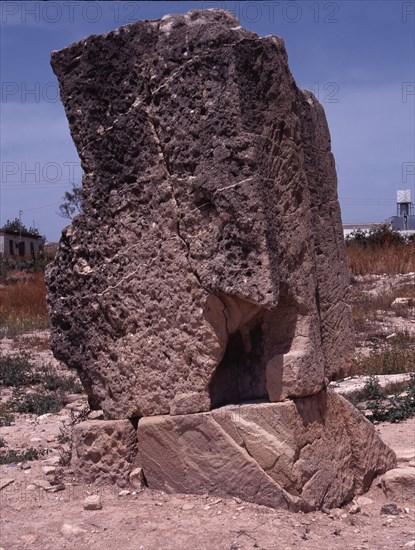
<point>388,259</point>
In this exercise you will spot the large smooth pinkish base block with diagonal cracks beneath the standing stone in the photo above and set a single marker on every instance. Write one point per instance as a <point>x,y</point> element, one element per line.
<point>303,453</point>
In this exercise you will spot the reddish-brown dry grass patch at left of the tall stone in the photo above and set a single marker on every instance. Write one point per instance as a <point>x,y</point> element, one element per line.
<point>23,305</point>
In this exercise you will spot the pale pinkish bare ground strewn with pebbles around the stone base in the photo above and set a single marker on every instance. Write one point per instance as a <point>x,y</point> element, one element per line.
<point>42,503</point>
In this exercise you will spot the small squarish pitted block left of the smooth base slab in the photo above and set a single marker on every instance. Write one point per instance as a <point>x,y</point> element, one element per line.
<point>103,451</point>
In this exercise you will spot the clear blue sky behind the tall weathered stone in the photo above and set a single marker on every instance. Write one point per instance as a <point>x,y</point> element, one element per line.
<point>356,56</point>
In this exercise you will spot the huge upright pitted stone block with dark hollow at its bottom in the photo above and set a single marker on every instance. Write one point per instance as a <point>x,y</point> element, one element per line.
<point>208,266</point>
